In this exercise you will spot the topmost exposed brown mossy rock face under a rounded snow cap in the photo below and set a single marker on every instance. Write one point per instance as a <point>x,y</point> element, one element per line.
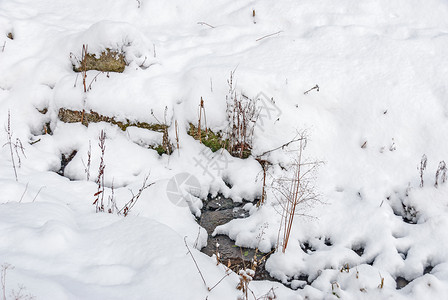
<point>109,61</point>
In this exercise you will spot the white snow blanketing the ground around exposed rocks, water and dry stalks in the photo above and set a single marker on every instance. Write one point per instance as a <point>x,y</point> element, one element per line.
<point>382,71</point>
